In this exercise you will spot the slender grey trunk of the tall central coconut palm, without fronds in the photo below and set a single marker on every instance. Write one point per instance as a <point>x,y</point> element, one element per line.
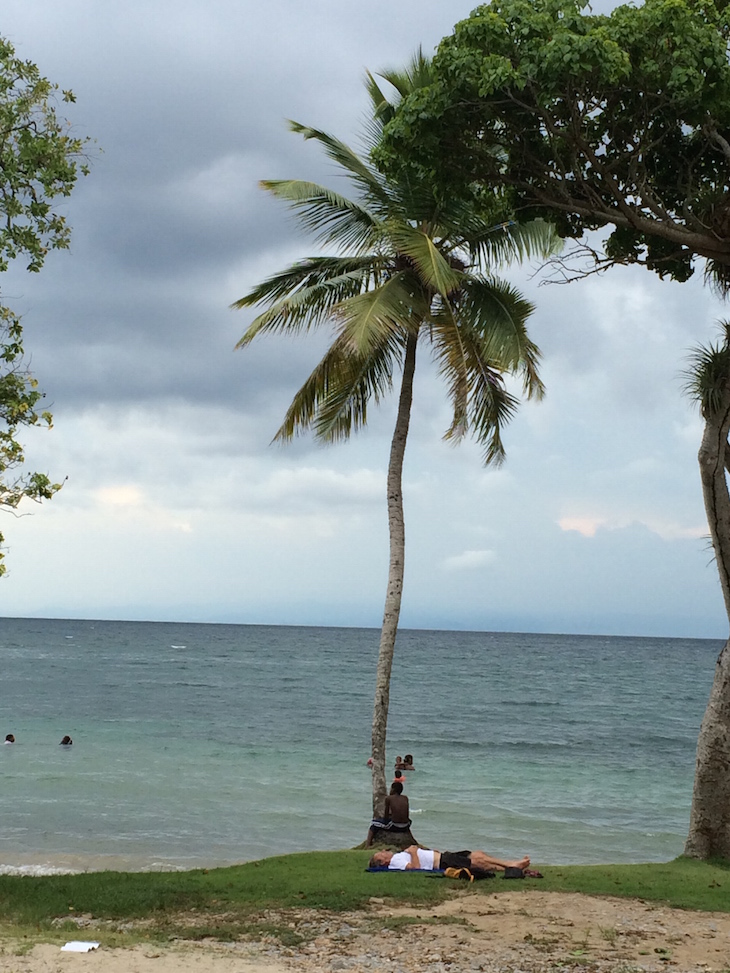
<point>391,612</point>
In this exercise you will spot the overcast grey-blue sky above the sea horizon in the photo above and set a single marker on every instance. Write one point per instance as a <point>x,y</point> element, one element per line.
<point>176,505</point>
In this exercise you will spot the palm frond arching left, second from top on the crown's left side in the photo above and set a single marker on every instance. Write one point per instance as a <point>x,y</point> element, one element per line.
<point>331,217</point>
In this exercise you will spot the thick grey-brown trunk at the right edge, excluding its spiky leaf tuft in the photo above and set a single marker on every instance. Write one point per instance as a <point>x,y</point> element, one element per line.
<point>709,827</point>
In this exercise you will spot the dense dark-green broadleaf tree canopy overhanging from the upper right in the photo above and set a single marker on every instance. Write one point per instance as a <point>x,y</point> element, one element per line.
<point>618,120</point>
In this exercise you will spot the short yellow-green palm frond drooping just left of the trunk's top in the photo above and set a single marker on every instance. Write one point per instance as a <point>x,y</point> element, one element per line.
<point>370,318</point>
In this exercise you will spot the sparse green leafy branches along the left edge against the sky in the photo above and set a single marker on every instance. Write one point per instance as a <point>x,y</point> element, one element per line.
<point>39,161</point>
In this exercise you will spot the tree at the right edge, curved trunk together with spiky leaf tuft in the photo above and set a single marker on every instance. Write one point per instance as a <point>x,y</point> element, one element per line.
<point>708,382</point>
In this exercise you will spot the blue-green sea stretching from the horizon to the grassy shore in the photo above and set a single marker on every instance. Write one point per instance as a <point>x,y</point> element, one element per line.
<point>204,745</point>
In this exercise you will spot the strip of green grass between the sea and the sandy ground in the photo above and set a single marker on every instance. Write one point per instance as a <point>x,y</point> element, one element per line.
<point>228,902</point>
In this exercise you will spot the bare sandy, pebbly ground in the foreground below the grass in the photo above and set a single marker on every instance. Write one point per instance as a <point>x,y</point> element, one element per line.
<point>531,931</point>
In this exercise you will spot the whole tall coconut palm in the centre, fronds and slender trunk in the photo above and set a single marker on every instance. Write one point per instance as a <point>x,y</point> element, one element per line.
<point>407,269</point>
